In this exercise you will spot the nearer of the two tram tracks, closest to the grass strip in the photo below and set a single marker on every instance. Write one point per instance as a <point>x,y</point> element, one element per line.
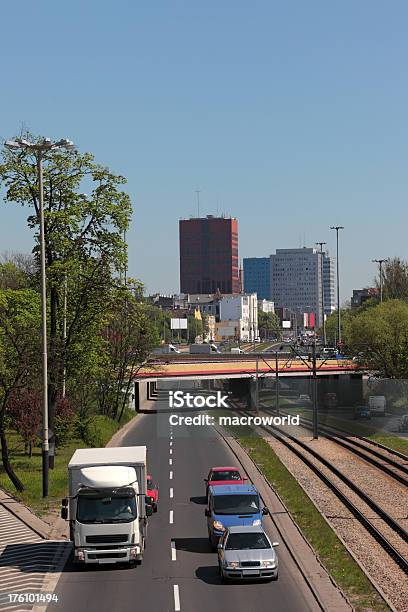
<point>297,446</point>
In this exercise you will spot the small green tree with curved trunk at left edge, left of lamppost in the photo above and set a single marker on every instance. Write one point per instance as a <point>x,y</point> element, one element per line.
<point>19,356</point>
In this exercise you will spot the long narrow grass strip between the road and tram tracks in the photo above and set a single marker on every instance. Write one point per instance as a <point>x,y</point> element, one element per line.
<point>333,555</point>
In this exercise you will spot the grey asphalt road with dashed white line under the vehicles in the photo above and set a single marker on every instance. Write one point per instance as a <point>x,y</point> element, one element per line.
<point>185,578</point>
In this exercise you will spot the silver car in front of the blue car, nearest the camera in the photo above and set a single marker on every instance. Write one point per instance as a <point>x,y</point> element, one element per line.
<point>246,552</point>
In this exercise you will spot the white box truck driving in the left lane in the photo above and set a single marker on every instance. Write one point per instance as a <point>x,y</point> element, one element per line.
<point>106,507</point>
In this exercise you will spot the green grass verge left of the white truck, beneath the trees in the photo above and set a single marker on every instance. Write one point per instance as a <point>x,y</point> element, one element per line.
<point>29,470</point>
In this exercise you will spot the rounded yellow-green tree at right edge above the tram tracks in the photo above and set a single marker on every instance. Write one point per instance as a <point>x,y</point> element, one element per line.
<point>379,336</point>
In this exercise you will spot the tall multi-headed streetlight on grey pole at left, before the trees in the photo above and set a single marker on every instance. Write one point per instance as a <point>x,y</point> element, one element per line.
<point>39,149</point>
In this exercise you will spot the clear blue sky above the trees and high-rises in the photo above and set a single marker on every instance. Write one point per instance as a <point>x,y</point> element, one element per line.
<point>291,116</point>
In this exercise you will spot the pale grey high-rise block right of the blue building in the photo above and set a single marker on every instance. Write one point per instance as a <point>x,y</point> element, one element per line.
<point>296,281</point>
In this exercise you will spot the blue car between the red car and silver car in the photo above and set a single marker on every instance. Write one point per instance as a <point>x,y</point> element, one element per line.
<point>230,506</point>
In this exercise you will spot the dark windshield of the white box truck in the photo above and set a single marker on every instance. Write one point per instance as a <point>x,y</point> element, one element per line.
<point>106,507</point>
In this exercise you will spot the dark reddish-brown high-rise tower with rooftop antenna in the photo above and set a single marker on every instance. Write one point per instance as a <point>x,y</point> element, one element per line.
<point>209,255</point>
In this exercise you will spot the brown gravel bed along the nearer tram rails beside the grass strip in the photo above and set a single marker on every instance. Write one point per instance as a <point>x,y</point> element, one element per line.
<point>378,565</point>
